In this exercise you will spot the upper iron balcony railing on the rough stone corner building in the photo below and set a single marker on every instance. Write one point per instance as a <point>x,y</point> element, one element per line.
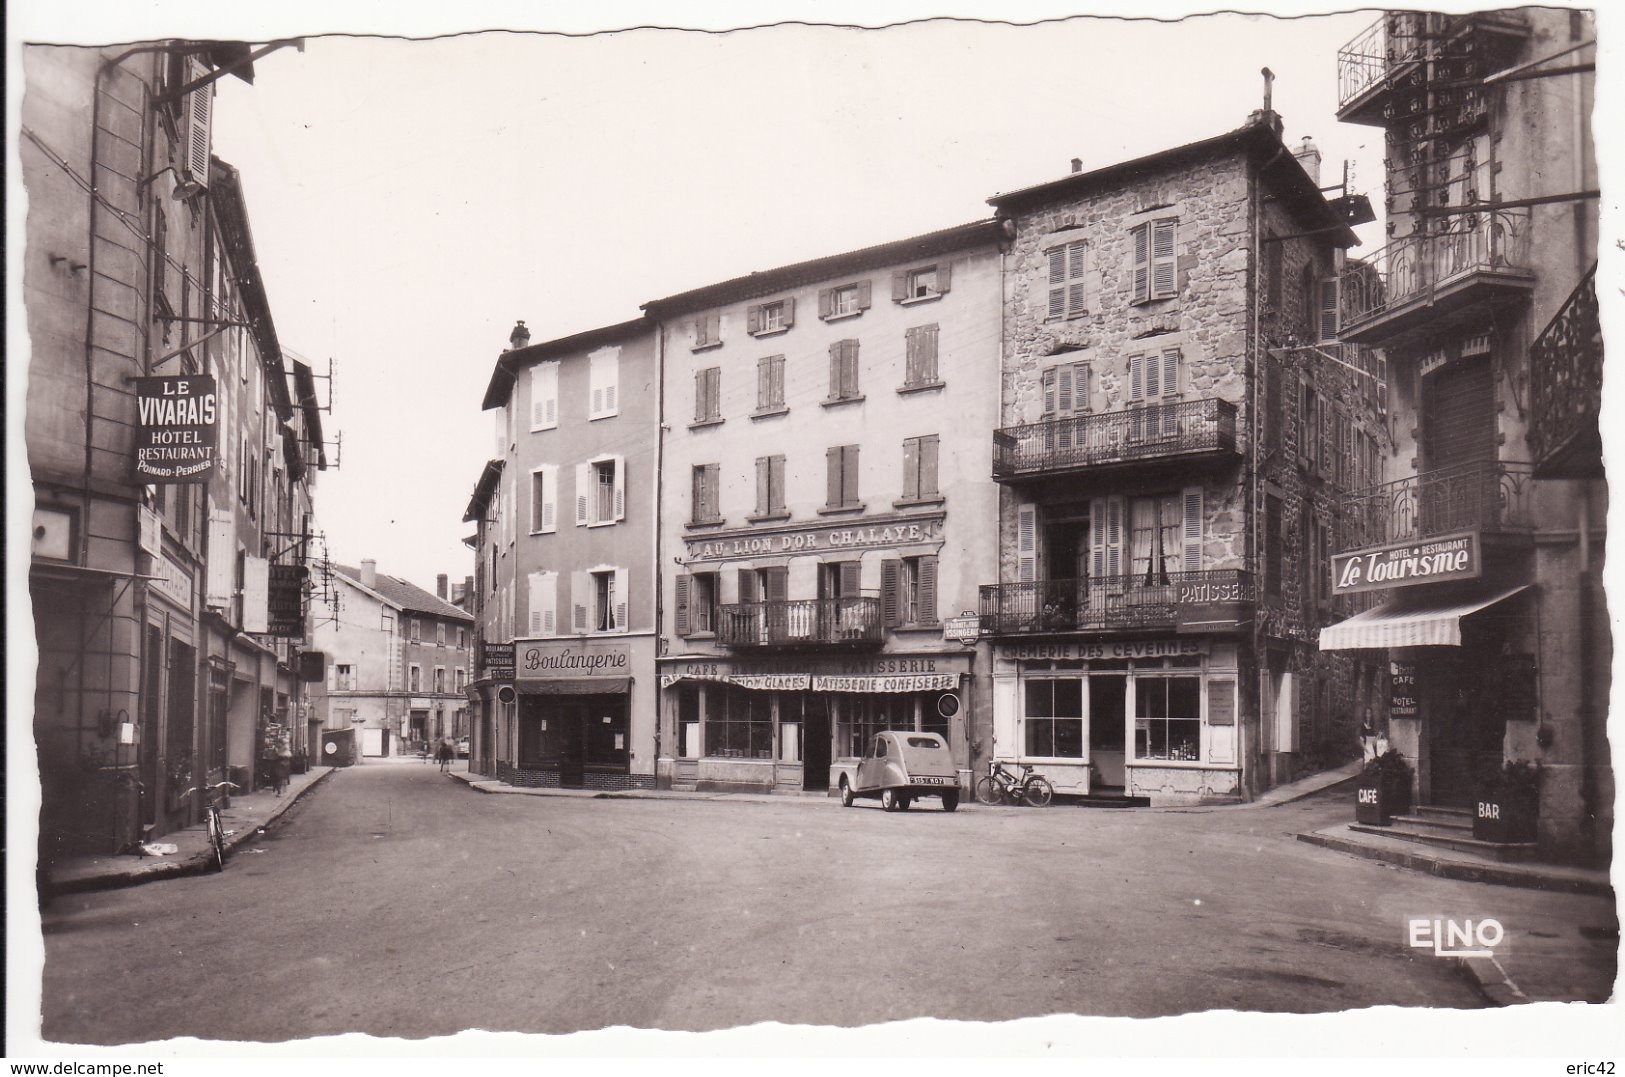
<point>1161,431</point>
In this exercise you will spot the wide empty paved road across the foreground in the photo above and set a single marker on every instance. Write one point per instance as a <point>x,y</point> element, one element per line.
<point>397,902</point>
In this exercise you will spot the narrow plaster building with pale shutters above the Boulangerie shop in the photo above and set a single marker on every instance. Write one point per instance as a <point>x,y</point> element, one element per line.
<point>566,576</point>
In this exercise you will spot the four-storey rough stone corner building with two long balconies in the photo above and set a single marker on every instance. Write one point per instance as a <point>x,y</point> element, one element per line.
<point>1179,425</point>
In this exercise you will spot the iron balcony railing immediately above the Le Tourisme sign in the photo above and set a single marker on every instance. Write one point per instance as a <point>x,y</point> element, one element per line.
<point>1488,496</point>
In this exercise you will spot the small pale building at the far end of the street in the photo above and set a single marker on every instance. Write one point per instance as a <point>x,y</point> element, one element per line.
<point>399,660</point>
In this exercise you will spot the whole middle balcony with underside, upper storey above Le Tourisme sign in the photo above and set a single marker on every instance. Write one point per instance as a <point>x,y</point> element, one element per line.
<point>1432,280</point>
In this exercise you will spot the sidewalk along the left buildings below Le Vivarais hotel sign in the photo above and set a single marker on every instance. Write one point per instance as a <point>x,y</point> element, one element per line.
<point>243,821</point>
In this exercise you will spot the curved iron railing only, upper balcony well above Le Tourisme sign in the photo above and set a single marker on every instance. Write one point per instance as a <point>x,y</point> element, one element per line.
<point>1419,267</point>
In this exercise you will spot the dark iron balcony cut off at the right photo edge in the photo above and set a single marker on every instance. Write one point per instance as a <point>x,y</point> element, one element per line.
<point>1566,389</point>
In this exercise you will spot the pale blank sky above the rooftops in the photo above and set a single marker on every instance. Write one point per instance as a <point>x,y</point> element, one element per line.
<point>412,199</point>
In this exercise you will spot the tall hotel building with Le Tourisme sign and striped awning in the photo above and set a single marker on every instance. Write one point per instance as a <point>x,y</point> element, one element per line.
<point>1484,300</point>
